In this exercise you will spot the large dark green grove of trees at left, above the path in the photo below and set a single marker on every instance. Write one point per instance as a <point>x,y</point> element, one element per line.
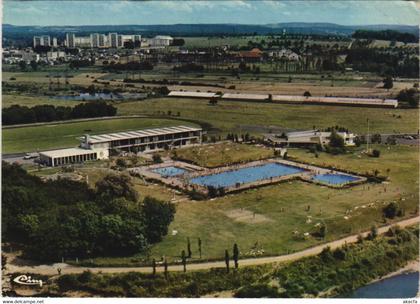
<point>67,219</point>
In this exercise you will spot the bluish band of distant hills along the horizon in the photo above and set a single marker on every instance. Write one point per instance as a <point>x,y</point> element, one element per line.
<point>11,31</point>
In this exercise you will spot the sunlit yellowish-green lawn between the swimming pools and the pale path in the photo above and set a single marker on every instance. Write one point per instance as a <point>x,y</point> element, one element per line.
<point>268,216</point>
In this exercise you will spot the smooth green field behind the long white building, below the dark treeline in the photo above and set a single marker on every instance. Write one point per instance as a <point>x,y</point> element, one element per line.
<point>28,139</point>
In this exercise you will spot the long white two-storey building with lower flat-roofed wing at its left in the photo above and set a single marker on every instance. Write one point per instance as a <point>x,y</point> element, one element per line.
<point>101,146</point>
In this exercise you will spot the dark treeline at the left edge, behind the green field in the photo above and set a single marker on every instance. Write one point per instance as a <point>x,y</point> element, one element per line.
<point>17,114</point>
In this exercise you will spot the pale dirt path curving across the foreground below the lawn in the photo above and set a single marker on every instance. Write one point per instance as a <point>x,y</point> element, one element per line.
<point>66,269</point>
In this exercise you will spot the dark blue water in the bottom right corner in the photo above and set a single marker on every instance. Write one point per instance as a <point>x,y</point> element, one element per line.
<point>399,286</point>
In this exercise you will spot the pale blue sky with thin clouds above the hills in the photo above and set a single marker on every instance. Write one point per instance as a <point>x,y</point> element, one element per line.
<point>62,12</point>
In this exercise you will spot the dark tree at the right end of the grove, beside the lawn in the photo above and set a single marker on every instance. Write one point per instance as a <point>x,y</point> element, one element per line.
<point>157,216</point>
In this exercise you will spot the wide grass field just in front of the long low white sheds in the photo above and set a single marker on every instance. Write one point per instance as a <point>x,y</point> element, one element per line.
<point>242,117</point>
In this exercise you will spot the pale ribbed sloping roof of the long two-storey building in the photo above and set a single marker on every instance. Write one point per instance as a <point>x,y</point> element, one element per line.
<point>140,133</point>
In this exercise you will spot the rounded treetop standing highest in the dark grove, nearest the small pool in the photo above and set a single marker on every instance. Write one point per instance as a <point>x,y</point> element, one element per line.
<point>116,186</point>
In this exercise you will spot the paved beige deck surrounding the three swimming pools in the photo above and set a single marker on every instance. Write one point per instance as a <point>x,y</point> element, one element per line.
<point>183,181</point>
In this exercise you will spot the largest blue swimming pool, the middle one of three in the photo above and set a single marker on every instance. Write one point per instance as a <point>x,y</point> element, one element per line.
<point>245,175</point>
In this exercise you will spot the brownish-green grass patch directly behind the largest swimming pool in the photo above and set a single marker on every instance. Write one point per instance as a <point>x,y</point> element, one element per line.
<point>222,154</point>
